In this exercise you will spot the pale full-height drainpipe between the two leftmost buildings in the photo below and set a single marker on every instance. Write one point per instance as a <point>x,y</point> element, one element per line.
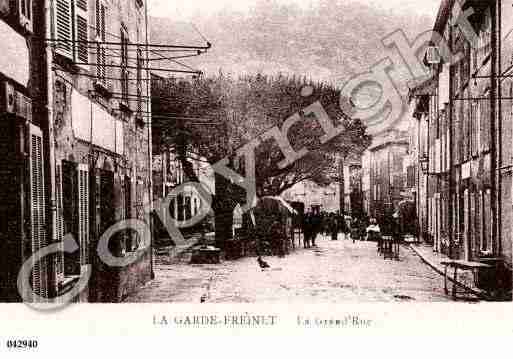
<point>51,146</point>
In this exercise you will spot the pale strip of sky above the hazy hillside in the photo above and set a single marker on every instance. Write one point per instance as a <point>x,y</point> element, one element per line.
<point>186,9</point>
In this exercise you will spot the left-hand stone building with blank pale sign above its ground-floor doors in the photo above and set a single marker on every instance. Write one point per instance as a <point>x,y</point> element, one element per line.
<point>102,139</point>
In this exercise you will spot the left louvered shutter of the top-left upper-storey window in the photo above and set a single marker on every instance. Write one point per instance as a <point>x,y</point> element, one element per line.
<point>63,28</point>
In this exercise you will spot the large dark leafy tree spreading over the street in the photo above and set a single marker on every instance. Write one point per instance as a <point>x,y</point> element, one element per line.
<point>215,116</point>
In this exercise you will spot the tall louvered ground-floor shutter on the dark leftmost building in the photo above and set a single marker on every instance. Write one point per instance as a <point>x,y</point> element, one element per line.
<point>38,210</point>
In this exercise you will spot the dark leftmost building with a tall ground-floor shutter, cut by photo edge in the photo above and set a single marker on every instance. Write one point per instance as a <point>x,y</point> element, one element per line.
<point>23,142</point>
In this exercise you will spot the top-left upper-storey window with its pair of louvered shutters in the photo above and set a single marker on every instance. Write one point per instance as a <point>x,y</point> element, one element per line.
<point>72,30</point>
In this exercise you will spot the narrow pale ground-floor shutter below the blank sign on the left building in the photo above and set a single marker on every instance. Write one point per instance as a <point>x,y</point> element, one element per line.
<point>83,212</point>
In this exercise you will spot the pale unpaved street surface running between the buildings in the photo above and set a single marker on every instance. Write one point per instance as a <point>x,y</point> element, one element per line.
<point>335,271</point>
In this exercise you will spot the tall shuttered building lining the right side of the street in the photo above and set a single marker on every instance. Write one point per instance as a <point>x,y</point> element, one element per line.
<point>464,112</point>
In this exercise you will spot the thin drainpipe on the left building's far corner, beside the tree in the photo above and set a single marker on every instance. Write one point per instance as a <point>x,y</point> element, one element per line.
<point>149,124</point>
